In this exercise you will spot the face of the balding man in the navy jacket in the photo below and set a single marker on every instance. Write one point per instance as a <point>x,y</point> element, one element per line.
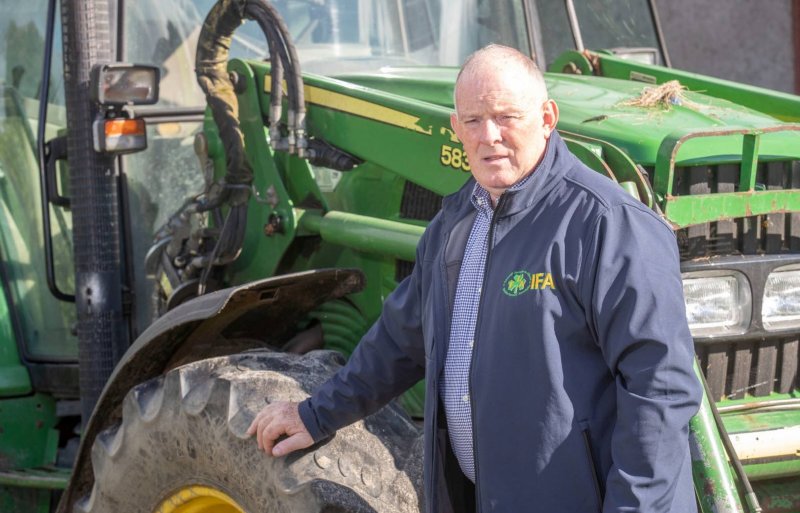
<point>503,124</point>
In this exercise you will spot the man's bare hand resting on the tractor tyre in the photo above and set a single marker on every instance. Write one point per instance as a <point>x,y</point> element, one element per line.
<point>277,420</point>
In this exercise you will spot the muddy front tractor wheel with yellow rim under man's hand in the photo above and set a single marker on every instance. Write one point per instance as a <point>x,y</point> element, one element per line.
<point>181,445</point>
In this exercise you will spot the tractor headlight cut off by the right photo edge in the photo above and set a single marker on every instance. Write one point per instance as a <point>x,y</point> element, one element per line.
<point>781,307</point>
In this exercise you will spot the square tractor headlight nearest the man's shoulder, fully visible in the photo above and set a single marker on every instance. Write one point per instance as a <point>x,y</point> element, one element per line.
<point>717,303</point>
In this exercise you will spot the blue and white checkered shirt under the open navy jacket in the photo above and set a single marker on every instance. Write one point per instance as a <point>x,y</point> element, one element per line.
<point>455,385</point>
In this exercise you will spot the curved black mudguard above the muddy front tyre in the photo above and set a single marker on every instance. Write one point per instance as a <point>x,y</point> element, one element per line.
<point>264,312</point>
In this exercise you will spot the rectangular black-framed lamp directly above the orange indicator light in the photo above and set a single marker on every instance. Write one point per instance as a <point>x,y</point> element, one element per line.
<point>121,84</point>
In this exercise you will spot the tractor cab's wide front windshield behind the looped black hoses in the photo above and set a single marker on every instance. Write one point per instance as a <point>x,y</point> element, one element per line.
<point>331,36</point>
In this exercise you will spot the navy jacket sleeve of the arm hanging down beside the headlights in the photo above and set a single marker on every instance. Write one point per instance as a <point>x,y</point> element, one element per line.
<point>638,317</point>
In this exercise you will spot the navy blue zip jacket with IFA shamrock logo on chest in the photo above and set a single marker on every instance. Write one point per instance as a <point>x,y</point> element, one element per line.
<point>581,380</point>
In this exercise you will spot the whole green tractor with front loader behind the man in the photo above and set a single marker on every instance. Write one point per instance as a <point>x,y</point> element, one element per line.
<point>175,255</point>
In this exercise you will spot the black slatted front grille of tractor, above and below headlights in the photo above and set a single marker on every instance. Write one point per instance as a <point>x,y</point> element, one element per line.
<point>757,368</point>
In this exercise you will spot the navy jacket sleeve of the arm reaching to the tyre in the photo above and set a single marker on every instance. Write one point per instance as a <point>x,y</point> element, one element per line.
<point>389,359</point>
